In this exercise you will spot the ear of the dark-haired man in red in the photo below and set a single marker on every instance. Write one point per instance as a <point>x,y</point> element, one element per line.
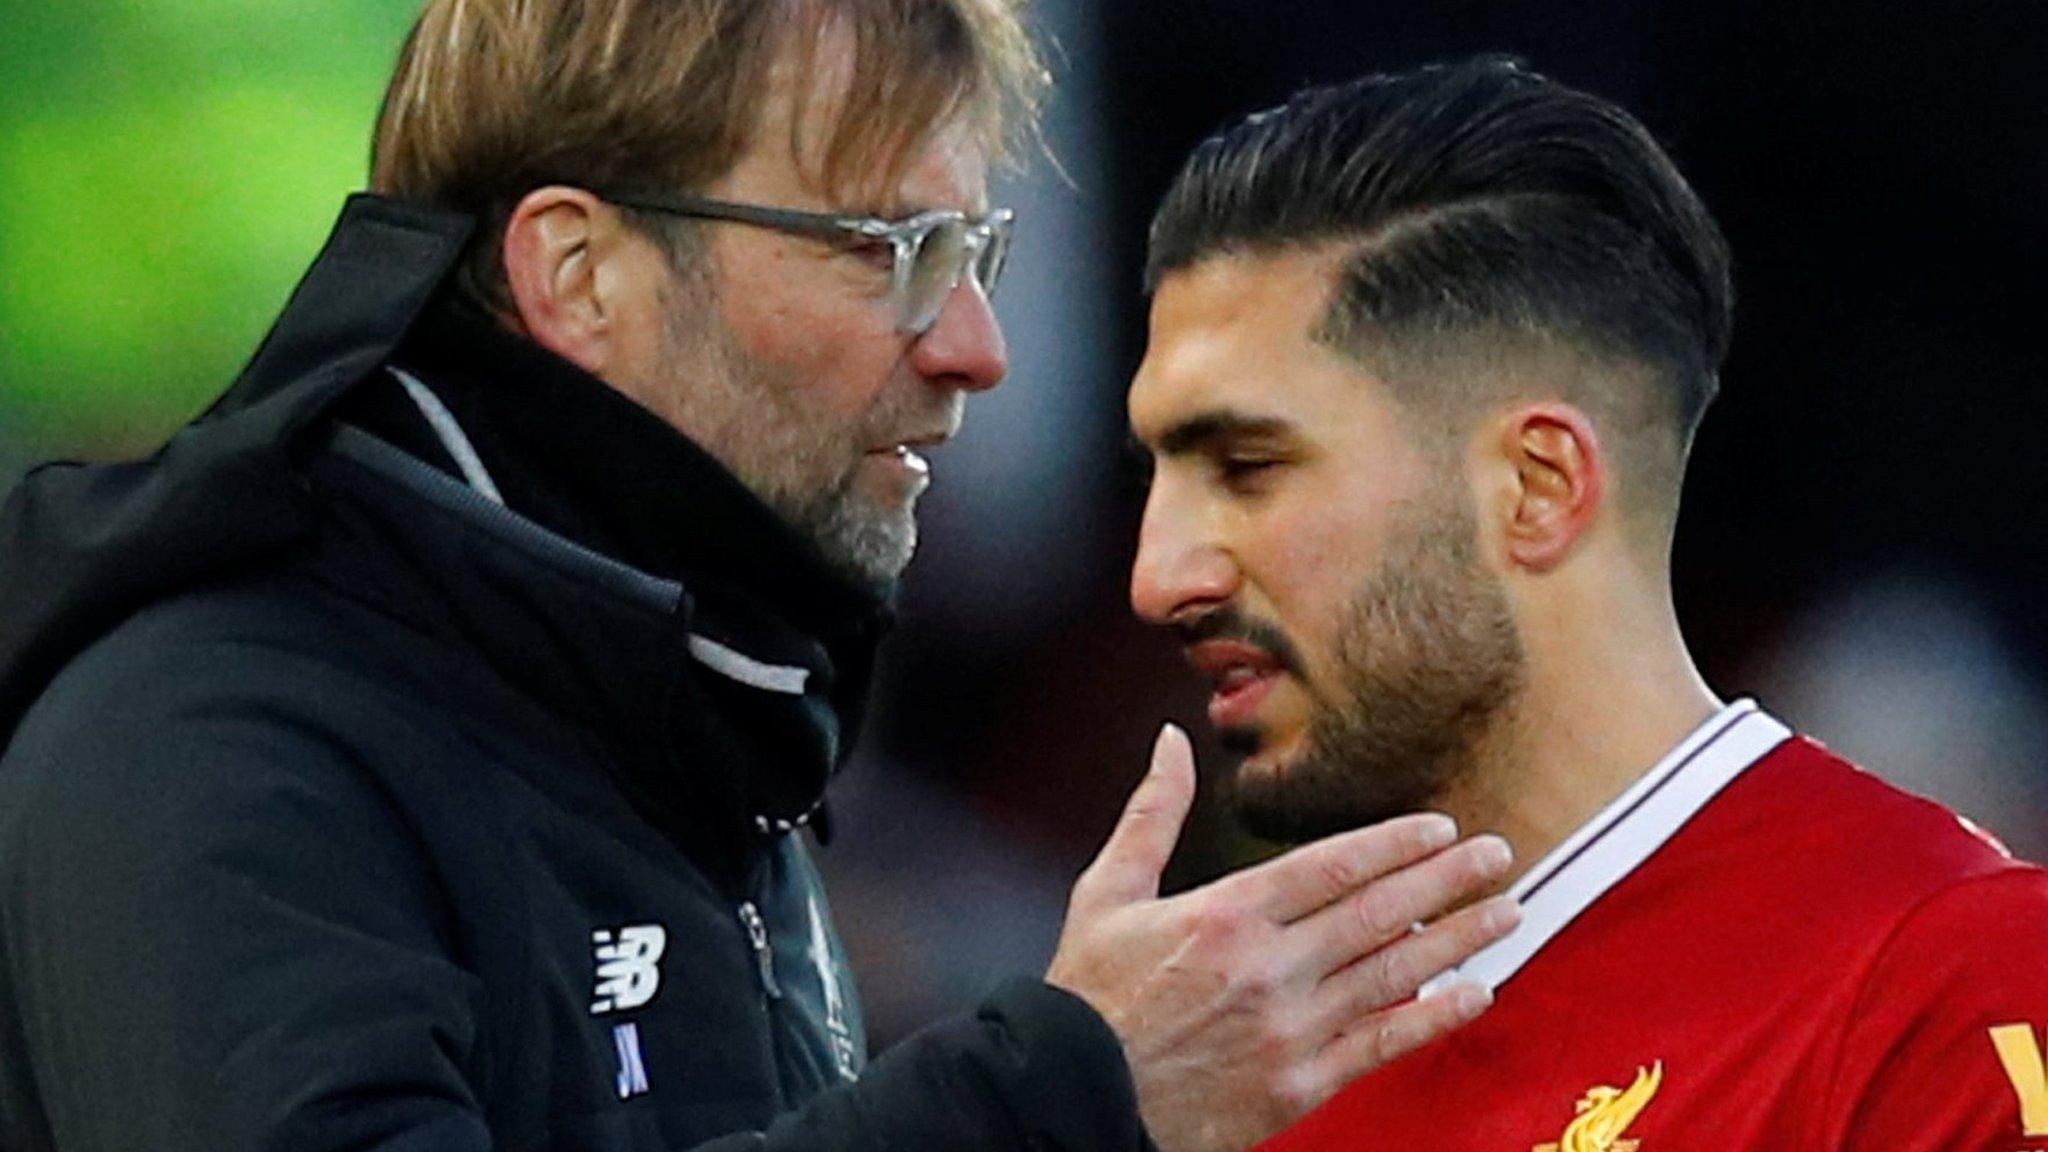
<point>1560,483</point>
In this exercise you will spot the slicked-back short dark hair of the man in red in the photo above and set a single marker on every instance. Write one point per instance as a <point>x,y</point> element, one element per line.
<point>1480,202</point>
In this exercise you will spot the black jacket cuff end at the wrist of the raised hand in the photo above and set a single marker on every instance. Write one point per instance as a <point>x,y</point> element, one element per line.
<point>1033,1069</point>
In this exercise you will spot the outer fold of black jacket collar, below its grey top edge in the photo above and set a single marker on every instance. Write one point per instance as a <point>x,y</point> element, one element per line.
<point>718,716</point>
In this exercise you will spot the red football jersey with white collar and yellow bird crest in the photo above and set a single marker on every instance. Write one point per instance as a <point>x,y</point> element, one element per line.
<point>1756,948</point>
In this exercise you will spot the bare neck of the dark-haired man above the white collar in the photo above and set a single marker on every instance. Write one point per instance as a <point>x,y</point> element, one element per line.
<point>1601,706</point>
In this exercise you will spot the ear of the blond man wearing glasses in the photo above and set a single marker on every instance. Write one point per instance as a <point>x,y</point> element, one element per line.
<point>554,251</point>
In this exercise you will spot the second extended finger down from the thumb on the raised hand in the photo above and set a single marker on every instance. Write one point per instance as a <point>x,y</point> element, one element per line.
<point>1365,921</point>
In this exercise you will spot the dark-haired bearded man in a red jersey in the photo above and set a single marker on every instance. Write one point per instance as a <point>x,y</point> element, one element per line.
<point>1426,360</point>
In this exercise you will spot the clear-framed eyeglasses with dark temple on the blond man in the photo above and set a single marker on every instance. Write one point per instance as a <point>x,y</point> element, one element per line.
<point>931,251</point>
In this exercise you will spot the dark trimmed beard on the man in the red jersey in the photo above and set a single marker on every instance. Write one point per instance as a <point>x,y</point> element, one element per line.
<point>1428,663</point>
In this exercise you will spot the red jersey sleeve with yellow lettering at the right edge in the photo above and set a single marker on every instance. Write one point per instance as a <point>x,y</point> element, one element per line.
<point>1947,1044</point>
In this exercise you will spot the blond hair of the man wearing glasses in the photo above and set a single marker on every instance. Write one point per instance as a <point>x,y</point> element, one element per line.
<point>499,97</point>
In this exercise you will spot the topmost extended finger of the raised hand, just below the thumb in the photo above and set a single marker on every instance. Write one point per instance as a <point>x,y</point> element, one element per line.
<point>1320,874</point>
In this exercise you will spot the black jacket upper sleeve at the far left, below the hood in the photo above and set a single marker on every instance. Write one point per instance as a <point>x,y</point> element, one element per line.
<point>220,938</point>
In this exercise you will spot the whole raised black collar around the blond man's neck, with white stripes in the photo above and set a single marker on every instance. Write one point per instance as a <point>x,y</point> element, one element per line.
<point>759,677</point>
